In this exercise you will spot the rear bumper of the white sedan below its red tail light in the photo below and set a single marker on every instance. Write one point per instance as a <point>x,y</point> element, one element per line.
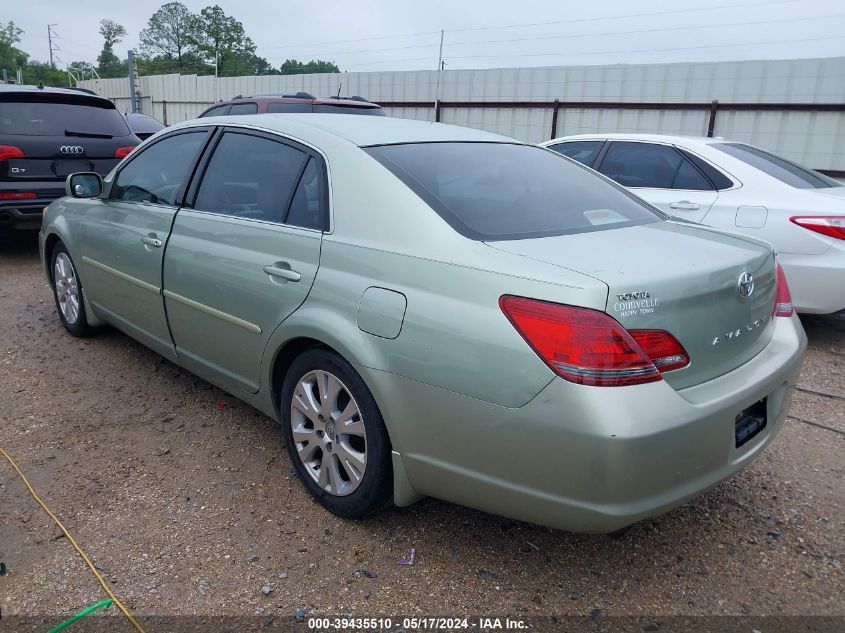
<point>817,282</point>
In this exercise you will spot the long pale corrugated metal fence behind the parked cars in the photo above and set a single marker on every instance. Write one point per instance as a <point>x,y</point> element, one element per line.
<point>816,139</point>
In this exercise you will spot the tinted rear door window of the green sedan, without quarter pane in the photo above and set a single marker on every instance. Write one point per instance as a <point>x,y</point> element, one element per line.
<point>250,177</point>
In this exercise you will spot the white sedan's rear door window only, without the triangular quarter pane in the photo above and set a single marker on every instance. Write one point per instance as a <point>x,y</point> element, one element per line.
<point>641,164</point>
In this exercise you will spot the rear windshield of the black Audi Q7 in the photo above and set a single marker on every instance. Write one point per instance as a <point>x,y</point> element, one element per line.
<point>61,116</point>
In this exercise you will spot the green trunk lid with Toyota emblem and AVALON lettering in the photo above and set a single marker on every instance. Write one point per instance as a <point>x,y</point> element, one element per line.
<point>679,278</point>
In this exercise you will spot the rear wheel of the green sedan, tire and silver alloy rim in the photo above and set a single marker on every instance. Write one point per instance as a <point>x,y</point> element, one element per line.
<point>329,421</point>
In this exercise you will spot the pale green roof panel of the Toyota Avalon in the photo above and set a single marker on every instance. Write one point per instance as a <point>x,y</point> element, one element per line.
<point>362,131</point>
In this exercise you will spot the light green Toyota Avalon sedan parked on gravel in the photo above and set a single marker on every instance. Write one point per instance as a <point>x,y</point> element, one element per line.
<point>434,310</point>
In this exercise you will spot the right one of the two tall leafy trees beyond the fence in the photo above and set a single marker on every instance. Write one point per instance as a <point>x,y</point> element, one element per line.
<point>223,42</point>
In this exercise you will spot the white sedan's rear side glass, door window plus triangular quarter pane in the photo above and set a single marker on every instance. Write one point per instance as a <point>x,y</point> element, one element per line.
<point>652,166</point>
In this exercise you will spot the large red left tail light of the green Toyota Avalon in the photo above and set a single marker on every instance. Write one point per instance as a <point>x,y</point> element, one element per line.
<point>588,347</point>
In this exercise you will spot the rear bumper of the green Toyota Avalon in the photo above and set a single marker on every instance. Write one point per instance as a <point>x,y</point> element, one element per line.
<point>587,459</point>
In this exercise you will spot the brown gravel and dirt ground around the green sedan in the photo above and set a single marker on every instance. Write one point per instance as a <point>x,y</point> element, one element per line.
<point>186,500</point>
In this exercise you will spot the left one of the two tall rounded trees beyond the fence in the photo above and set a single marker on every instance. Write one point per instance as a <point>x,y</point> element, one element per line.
<point>169,43</point>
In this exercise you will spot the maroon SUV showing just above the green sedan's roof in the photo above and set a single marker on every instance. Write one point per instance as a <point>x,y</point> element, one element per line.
<point>299,102</point>
